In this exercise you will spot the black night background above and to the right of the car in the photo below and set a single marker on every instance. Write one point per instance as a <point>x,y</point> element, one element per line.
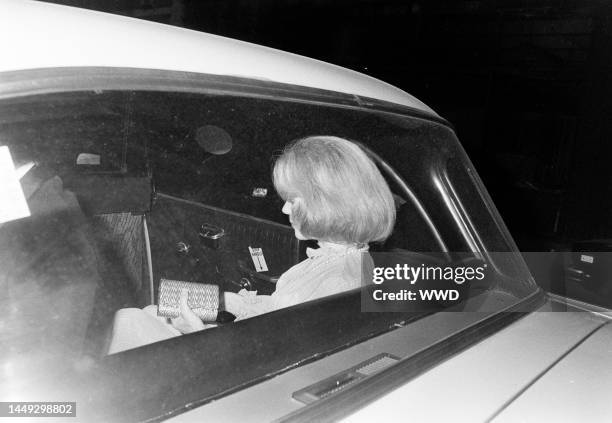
<point>526,83</point>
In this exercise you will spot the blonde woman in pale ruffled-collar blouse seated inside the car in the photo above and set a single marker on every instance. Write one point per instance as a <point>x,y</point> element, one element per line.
<point>333,193</point>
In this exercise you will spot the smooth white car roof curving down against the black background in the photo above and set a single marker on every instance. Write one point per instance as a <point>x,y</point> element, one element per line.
<point>42,35</point>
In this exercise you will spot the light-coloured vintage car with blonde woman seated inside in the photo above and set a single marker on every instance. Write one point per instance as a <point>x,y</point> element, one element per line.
<point>144,152</point>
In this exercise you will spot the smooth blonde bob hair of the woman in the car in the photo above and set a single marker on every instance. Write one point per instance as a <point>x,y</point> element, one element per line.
<point>337,192</point>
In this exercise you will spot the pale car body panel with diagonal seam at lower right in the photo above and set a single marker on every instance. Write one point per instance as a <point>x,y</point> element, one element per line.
<point>548,366</point>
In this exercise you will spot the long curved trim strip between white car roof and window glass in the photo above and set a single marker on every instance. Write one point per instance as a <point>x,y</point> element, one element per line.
<point>70,79</point>
